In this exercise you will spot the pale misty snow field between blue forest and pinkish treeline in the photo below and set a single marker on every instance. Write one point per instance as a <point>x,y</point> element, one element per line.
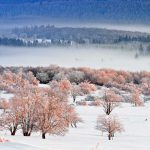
<point>74,57</point>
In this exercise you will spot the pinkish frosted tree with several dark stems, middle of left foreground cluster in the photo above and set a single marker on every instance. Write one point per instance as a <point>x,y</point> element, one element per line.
<point>27,100</point>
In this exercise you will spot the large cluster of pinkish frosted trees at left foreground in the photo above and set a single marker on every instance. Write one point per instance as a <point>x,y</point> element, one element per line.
<point>37,109</point>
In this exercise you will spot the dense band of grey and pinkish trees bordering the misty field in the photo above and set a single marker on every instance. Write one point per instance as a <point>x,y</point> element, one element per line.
<point>122,80</point>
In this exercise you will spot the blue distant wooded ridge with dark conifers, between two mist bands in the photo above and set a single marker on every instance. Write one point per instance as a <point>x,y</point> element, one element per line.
<point>61,36</point>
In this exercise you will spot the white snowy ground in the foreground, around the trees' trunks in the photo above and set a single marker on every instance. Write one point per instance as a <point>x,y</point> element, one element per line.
<point>86,137</point>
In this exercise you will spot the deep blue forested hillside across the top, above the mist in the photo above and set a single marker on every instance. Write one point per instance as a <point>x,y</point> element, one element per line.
<point>86,10</point>
